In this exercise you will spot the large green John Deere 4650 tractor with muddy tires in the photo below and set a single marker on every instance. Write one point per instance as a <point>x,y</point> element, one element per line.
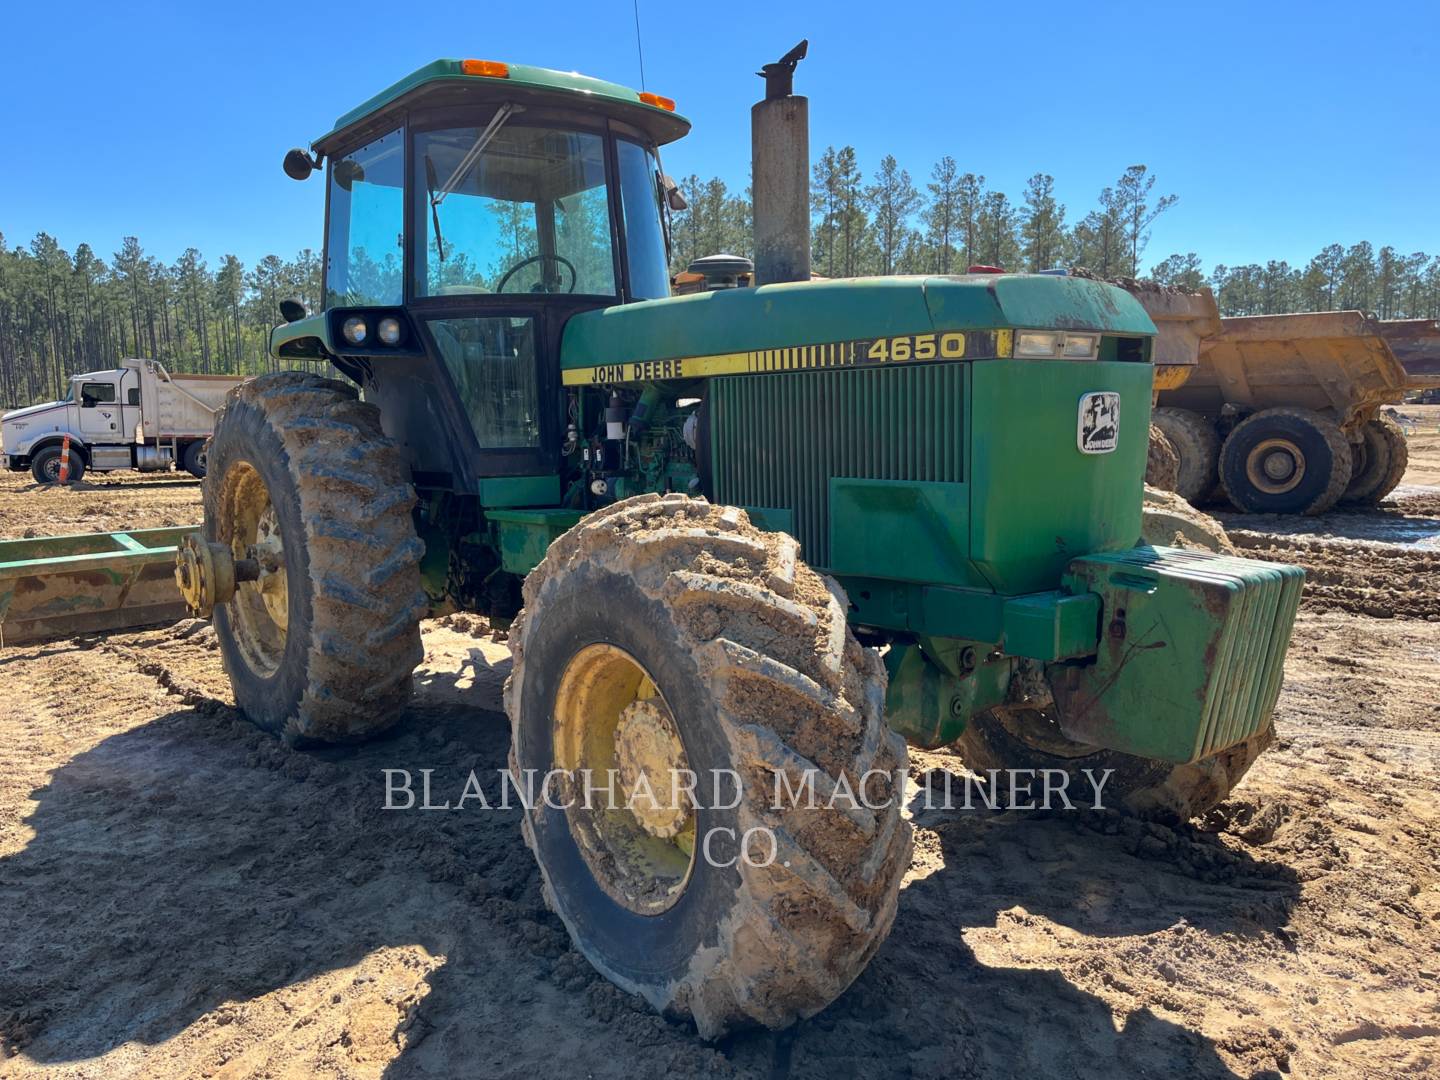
<point>767,535</point>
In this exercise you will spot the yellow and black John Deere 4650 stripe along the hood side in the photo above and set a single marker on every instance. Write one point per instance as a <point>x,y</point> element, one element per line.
<point>904,349</point>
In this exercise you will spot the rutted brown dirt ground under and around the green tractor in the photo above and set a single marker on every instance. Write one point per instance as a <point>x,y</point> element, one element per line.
<point>182,896</point>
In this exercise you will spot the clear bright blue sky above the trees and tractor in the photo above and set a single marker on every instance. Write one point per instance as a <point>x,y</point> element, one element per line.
<point>1282,126</point>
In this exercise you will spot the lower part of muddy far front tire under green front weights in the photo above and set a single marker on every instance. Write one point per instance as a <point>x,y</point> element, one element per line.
<point>1138,787</point>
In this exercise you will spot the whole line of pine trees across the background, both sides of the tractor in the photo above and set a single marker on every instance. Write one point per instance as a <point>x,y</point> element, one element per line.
<point>64,313</point>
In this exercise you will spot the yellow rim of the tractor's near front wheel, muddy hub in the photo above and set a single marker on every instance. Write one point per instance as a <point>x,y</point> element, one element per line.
<point>627,780</point>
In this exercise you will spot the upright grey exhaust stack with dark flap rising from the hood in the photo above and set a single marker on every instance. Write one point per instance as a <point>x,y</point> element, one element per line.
<point>780,175</point>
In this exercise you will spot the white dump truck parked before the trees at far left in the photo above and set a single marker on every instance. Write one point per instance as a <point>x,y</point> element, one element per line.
<point>133,417</point>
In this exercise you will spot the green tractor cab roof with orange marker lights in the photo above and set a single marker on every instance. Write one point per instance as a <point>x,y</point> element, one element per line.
<point>525,83</point>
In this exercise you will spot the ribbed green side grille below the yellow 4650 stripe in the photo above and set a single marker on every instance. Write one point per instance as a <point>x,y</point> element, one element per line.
<point>777,440</point>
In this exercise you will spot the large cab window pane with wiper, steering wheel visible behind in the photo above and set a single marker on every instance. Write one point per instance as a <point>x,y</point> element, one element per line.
<point>513,208</point>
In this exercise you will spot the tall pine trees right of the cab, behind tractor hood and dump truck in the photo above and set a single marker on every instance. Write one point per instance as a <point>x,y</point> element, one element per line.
<point>888,224</point>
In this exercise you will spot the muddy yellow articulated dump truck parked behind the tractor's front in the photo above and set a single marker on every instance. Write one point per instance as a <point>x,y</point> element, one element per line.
<point>1282,414</point>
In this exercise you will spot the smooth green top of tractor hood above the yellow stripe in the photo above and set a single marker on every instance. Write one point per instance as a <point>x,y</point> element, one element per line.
<point>796,315</point>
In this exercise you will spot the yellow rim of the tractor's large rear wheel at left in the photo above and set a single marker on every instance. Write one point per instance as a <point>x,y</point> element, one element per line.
<point>260,613</point>
